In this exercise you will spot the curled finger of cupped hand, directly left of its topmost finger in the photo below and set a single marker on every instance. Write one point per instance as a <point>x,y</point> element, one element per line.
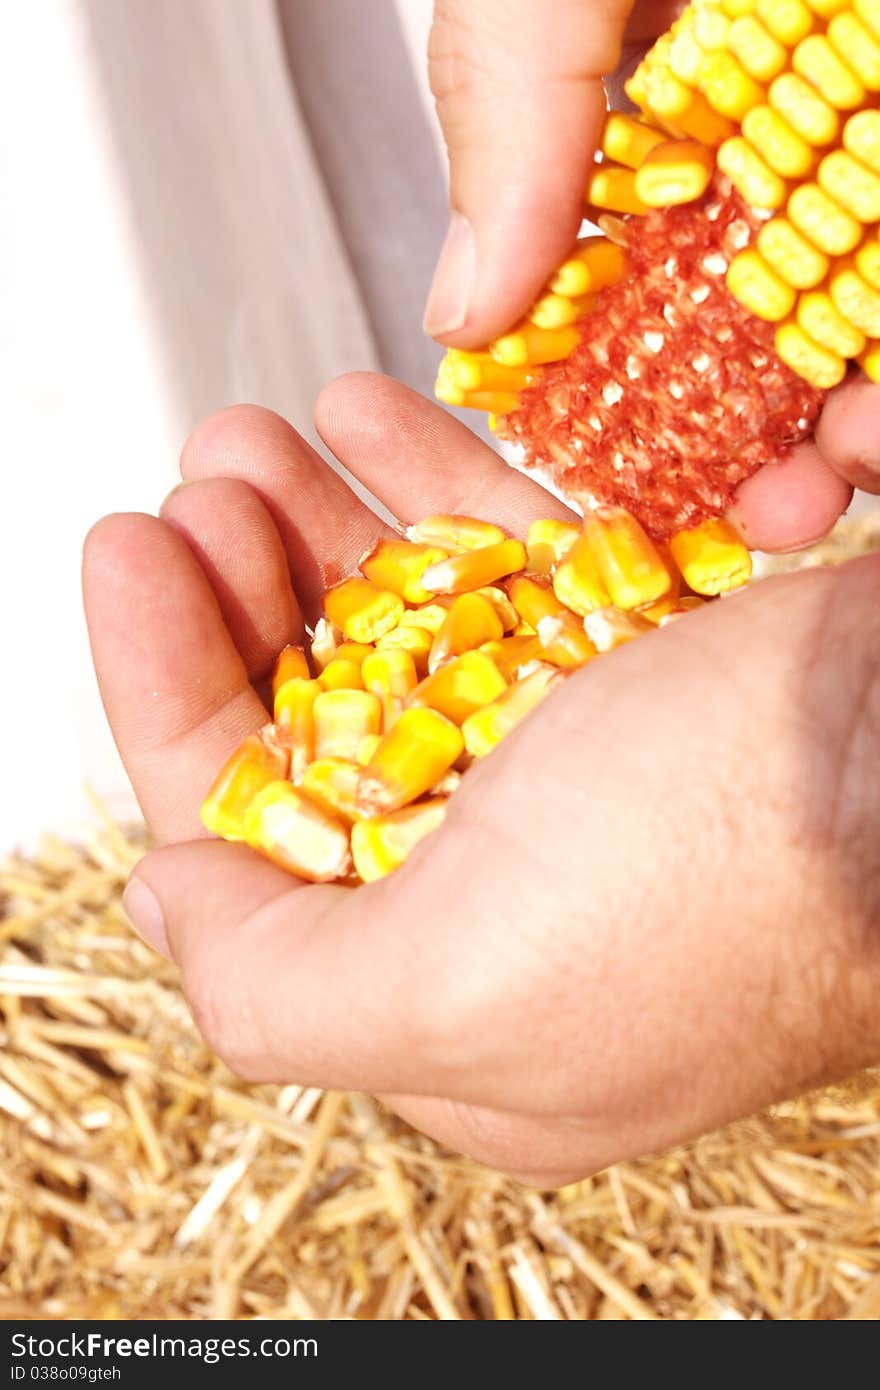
<point>323,526</point>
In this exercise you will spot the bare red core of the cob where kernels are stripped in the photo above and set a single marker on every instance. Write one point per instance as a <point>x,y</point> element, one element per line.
<point>675,394</point>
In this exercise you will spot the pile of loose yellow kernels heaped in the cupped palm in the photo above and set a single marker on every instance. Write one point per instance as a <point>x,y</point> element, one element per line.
<point>359,762</point>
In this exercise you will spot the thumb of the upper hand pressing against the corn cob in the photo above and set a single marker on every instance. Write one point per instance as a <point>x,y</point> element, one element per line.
<point>521,99</point>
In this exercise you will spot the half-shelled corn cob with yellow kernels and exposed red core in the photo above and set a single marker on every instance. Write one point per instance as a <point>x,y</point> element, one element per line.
<point>667,362</point>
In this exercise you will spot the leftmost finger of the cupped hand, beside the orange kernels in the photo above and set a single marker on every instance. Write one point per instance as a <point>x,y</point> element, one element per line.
<point>173,683</point>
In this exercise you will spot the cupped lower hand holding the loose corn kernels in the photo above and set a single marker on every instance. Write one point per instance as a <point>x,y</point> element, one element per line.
<point>653,910</point>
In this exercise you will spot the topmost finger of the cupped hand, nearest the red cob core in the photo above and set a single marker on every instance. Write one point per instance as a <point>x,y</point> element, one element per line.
<point>419,461</point>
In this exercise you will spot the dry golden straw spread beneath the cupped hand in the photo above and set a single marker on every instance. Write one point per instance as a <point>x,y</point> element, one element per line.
<point>141,1179</point>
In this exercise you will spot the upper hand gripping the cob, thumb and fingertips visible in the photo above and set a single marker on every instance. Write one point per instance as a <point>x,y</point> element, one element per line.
<point>521,99</point>
